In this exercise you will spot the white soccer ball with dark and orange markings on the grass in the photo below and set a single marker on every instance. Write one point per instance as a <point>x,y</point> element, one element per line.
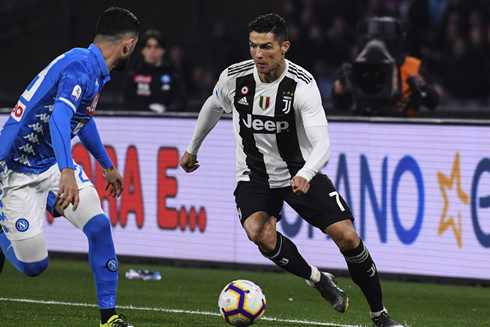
<point>241,303</point>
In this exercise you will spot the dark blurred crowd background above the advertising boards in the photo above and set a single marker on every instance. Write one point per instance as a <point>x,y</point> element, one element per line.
<point>451,37</point>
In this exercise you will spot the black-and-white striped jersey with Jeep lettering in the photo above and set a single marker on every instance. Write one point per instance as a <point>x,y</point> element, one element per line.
<point>269,120</point>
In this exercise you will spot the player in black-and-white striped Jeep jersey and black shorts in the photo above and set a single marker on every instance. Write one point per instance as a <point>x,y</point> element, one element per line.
<point>282,144</point>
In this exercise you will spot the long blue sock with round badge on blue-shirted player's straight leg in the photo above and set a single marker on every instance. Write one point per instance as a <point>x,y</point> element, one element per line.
<point>102,259</point>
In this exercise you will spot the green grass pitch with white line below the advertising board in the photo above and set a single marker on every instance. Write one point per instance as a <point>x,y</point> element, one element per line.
<point>64,296</point>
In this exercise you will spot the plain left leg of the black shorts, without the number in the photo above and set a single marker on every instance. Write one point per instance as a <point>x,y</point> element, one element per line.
<point>251,198</point>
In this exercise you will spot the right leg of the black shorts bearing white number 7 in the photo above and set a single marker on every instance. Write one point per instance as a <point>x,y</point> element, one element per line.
<point>322,205</point>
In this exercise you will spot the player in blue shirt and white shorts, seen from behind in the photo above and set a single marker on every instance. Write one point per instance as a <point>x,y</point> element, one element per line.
<point>37,172</point>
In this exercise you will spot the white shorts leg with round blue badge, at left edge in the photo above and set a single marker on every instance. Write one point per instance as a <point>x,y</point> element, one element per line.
<point>23,197</point>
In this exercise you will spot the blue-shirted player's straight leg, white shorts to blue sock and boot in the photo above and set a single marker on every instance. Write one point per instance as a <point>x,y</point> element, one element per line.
<point>90,218</point>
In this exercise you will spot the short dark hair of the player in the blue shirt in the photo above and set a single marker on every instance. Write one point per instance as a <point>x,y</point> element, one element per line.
<point>114,23</point>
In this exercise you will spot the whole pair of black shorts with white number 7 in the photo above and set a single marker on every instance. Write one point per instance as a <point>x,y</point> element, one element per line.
<point>321,206</point>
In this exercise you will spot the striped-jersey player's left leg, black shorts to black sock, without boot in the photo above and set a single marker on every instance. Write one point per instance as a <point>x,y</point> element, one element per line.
<point>258,208</point>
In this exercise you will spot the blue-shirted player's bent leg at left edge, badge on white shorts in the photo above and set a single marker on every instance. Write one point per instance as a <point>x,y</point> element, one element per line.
<point>21,237</point>
